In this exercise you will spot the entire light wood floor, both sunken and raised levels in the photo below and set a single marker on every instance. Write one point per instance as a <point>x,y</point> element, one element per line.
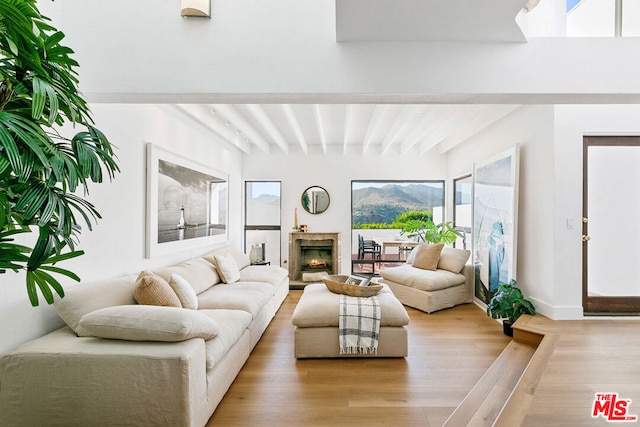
<point>449,351</point>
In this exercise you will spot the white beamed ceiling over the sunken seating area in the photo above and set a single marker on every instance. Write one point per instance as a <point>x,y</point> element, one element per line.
<point>342,128</point>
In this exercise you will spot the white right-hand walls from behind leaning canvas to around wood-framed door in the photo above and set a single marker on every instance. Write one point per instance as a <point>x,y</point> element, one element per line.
<point>551,138</point>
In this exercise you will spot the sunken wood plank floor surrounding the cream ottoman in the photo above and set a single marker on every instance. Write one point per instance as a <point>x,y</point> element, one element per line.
<point>449,351</point>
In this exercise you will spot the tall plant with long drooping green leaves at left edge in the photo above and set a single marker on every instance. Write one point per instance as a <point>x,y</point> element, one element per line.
<point>49,150</point>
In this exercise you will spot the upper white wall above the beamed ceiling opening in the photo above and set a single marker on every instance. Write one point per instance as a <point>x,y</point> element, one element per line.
<point>143,50</point>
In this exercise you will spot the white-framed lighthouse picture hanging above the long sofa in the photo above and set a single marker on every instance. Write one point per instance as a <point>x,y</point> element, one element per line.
<point>186,203</point>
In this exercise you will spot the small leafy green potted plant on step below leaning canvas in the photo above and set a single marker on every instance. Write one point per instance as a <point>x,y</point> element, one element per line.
<point>508,303</point>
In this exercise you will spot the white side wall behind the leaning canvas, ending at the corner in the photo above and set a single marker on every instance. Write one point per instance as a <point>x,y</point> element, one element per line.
<point>531,128</point>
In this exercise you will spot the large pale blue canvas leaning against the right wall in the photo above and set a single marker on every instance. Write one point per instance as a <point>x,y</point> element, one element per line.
<point>495,213</point>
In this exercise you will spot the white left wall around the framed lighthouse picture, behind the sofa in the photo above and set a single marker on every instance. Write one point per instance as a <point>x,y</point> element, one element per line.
<point>116,245</point>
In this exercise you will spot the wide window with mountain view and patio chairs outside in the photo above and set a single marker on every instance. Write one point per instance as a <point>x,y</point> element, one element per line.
<point>379,210</point>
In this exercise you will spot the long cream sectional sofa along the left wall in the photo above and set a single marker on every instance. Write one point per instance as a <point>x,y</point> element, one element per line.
<point>167,366</point>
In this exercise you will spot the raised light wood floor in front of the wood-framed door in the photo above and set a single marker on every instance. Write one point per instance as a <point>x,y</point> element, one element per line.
<point>591,356</point>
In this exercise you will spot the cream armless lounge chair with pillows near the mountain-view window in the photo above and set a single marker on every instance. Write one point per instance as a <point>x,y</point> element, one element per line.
<point>448,282</point>
